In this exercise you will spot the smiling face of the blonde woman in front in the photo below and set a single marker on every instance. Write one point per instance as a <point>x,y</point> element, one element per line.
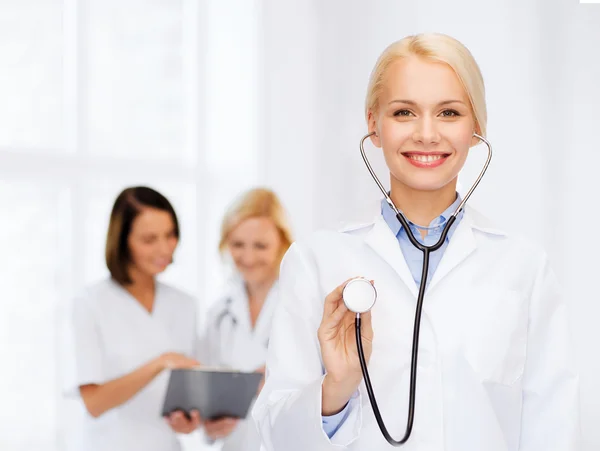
<point>424,124</point>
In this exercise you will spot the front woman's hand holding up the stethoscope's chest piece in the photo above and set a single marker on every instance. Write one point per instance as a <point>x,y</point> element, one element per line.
<point>337,338</point>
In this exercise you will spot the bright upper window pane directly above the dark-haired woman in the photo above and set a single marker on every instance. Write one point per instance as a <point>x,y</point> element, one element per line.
<point>132,78</point>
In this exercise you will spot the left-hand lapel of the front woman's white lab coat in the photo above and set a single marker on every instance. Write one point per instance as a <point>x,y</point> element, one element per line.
<point>382,240</point>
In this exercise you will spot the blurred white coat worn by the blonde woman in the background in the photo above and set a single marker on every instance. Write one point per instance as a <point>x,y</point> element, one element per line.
<point>230,341</point>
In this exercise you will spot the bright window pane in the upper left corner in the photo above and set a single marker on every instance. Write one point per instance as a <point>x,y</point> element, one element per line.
<point>31,85</point>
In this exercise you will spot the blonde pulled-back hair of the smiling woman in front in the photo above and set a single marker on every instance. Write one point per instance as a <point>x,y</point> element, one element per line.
<point>438,48</point>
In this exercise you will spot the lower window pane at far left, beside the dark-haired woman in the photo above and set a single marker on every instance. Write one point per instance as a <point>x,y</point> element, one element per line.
<point>31,285</point>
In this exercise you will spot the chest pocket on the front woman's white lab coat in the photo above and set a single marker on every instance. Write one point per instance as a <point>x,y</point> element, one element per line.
<point>496,334</point>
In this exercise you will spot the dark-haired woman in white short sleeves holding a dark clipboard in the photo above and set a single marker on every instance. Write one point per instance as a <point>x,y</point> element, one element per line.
<point>128,328</point>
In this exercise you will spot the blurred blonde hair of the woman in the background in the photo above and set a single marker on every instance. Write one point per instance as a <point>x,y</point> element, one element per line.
<point>257,203</point>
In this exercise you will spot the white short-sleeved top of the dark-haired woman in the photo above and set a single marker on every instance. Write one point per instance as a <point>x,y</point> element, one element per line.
<point>112,336</point>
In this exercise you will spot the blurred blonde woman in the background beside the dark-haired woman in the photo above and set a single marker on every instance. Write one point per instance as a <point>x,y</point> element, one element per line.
<point>255,234</point>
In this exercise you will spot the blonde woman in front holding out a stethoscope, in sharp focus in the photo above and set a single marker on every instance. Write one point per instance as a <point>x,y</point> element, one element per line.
<point>495,371</point>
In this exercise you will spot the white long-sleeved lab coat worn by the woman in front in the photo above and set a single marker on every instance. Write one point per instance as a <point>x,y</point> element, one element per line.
<point>495,369</point>
